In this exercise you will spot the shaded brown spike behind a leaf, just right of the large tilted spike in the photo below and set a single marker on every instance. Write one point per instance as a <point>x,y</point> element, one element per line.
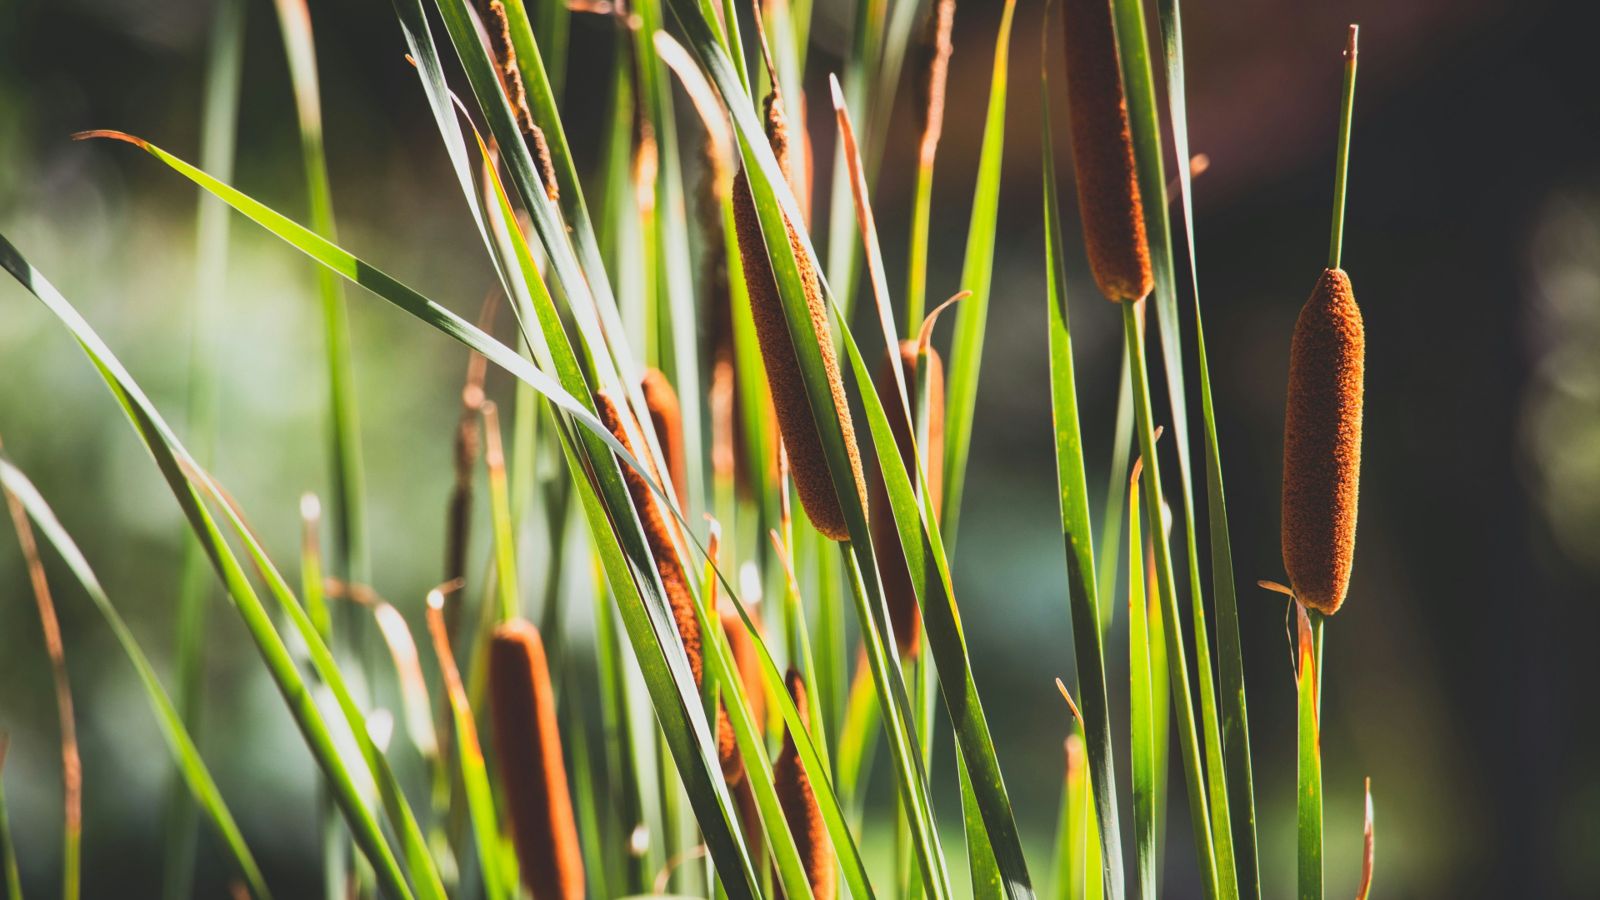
<point>898,592</point>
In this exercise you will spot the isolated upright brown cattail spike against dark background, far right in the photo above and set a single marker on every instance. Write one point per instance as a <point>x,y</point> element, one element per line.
<point>1322,444</point>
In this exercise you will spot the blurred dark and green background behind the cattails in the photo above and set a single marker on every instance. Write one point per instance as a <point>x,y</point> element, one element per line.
<point>1462,672</point>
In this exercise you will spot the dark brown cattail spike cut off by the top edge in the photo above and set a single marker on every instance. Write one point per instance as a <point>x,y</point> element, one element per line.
<point>1103,155</point>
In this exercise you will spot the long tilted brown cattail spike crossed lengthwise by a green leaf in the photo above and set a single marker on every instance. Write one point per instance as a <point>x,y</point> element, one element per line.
<point>783,369</point>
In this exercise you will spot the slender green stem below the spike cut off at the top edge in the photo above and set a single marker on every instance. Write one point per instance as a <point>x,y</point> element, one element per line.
<point>1178,662</point>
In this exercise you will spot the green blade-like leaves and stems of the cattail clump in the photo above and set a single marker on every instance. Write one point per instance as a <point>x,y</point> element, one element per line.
<point>596,300</point>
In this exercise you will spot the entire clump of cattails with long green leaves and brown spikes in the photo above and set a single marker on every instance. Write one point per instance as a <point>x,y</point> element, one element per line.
<point>591,829</point>
